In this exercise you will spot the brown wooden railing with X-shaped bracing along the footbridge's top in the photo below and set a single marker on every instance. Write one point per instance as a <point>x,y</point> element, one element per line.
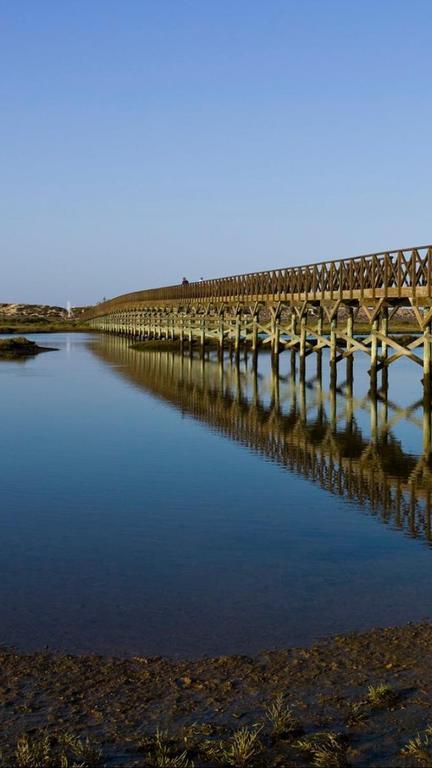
<point>391,273</point>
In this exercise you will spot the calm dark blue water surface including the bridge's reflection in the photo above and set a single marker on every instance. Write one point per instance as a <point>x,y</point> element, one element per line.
<point>154,505</point>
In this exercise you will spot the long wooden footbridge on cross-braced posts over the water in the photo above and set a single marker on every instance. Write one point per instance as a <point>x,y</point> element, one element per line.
<point>303,309</point>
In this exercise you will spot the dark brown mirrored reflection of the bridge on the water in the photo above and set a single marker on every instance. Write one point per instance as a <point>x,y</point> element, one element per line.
<point>301,425</point>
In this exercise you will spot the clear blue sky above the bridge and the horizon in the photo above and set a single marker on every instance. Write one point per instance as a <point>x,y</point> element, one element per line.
<point>143,140</point>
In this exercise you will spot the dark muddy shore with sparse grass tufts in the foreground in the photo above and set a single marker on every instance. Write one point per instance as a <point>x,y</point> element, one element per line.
<point>359,700</point>
